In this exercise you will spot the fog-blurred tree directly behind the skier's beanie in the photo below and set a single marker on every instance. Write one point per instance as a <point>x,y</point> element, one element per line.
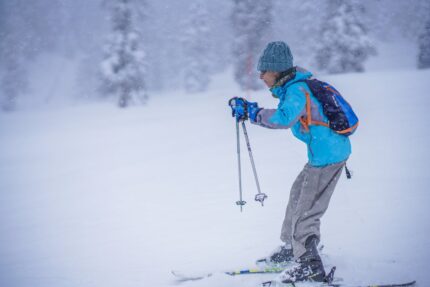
<point>252,28</point>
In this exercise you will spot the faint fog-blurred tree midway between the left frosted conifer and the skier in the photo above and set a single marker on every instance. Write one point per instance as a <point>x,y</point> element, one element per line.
<point>196,48</point>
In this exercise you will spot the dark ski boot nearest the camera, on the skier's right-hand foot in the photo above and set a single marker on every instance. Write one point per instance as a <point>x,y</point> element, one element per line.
<point>308,267</point>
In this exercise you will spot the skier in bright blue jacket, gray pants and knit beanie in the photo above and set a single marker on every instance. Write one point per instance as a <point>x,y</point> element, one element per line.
<point>327,154</point>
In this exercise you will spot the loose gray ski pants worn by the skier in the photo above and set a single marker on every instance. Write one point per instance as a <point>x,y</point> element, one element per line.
<point>309,199</point>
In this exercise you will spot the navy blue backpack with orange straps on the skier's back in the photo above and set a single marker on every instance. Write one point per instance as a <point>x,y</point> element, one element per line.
<point>341,117</point>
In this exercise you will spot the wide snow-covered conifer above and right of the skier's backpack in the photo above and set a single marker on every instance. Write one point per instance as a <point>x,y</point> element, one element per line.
<point>344,44</point>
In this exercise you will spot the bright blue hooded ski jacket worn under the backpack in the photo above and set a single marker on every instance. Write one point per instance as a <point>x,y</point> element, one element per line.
<point>324,145</point>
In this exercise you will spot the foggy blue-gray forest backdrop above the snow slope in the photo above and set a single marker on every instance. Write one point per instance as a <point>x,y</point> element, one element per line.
<point>52,51</point>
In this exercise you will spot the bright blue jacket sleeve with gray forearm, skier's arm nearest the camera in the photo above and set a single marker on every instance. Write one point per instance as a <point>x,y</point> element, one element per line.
<point>289,110</point>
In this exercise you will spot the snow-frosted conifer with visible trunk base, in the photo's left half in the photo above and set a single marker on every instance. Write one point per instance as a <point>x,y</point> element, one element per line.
<point>123,67</point>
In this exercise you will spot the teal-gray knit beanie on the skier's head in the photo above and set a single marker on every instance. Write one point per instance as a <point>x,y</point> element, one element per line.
<point>276,57</point>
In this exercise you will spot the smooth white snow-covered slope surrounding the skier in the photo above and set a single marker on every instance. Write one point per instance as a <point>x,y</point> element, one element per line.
<point>93,195</point>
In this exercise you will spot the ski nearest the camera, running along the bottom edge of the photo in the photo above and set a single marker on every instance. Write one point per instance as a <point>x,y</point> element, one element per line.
<point>275,283</point>
